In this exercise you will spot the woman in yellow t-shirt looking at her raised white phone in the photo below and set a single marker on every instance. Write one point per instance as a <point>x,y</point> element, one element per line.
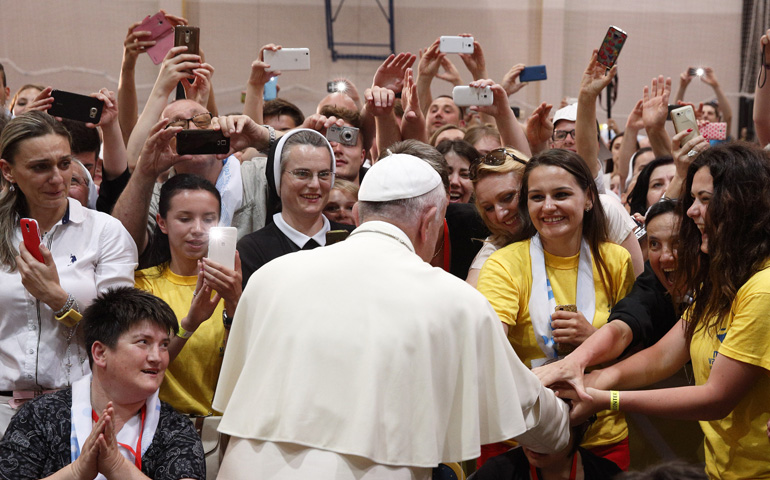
<point>203,294</point>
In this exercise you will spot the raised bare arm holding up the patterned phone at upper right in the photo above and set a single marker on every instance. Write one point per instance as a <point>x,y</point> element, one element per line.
<point>595,79</point>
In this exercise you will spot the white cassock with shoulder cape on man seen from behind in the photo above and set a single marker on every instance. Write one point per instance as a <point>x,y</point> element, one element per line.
<point>362,358</point>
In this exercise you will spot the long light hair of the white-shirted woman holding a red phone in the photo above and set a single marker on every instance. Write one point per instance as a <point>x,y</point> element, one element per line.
<point>13,204</point>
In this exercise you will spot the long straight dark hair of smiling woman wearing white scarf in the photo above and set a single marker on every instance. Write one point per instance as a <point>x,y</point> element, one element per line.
<point>594,220</point>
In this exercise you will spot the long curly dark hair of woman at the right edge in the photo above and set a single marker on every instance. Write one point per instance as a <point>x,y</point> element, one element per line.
<point>738,229</point>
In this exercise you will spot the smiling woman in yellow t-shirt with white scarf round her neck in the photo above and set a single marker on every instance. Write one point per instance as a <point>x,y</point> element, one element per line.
<point>562,258</point>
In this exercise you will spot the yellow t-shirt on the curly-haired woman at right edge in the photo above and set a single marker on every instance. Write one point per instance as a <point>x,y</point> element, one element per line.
<point>737,446</point>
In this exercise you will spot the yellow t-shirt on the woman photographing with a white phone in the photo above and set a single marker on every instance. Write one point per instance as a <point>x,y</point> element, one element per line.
<point>192,377</point>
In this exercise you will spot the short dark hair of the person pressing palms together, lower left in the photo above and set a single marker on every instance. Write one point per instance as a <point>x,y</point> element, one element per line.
<point>117,310</point>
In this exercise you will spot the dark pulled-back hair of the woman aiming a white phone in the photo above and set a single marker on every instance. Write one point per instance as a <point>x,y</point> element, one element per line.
<point>158,253</point>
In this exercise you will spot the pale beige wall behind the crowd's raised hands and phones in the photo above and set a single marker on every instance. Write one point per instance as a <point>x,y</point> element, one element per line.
<point>77,44</point>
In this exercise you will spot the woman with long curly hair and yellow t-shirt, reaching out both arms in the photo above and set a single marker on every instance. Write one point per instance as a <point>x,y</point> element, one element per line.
<point>724,259</point>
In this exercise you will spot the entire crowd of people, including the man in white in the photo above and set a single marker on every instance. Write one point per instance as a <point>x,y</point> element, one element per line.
<point>508,285</point>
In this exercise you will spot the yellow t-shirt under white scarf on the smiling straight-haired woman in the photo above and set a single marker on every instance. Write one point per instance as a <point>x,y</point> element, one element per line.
<point>506,281</point>
